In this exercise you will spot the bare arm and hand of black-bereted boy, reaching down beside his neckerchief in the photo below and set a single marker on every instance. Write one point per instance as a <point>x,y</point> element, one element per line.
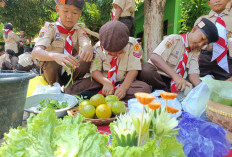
<point>158,61</point>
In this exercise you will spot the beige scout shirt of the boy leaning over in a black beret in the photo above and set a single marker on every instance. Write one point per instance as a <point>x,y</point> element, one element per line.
<point>171,49</point>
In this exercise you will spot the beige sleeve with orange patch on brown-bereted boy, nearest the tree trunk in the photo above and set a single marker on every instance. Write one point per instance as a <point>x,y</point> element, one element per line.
<point>135,56</point>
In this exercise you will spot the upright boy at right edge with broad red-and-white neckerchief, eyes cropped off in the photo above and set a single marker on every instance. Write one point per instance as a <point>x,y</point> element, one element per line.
<point>215,58</point>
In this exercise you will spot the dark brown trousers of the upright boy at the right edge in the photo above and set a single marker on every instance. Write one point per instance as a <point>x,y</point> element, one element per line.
<point>211,68</point>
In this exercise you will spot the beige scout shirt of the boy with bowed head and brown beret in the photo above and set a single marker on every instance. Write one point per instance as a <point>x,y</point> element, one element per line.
<point>129,60</point>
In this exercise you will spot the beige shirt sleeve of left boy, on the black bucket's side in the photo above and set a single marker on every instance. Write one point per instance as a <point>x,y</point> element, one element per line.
<point>45,36</point>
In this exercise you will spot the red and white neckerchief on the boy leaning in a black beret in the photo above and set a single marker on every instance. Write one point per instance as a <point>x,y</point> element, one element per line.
<point>182,64</point>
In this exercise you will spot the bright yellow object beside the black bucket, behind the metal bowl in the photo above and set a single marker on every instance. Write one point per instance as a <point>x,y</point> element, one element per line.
<point>38,80</point>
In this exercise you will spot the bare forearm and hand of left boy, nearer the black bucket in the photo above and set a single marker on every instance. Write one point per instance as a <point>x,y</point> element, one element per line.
<point>41,54</point>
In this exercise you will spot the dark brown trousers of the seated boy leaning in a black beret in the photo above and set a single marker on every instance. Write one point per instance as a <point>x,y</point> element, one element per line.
<point>150,75</point>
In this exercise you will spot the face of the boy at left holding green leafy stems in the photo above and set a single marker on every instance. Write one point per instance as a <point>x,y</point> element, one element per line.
<point>69,15</point>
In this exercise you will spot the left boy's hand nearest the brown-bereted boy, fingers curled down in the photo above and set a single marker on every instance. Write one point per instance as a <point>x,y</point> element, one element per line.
<point>86,53</point>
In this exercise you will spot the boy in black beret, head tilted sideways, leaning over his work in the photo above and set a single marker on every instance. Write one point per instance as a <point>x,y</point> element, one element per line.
<point>176,54</point>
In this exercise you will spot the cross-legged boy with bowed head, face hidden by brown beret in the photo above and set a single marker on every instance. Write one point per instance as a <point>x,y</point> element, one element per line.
<point>116,64</point>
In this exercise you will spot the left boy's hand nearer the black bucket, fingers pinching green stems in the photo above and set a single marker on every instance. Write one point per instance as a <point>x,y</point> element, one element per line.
<point>64,60</point>
